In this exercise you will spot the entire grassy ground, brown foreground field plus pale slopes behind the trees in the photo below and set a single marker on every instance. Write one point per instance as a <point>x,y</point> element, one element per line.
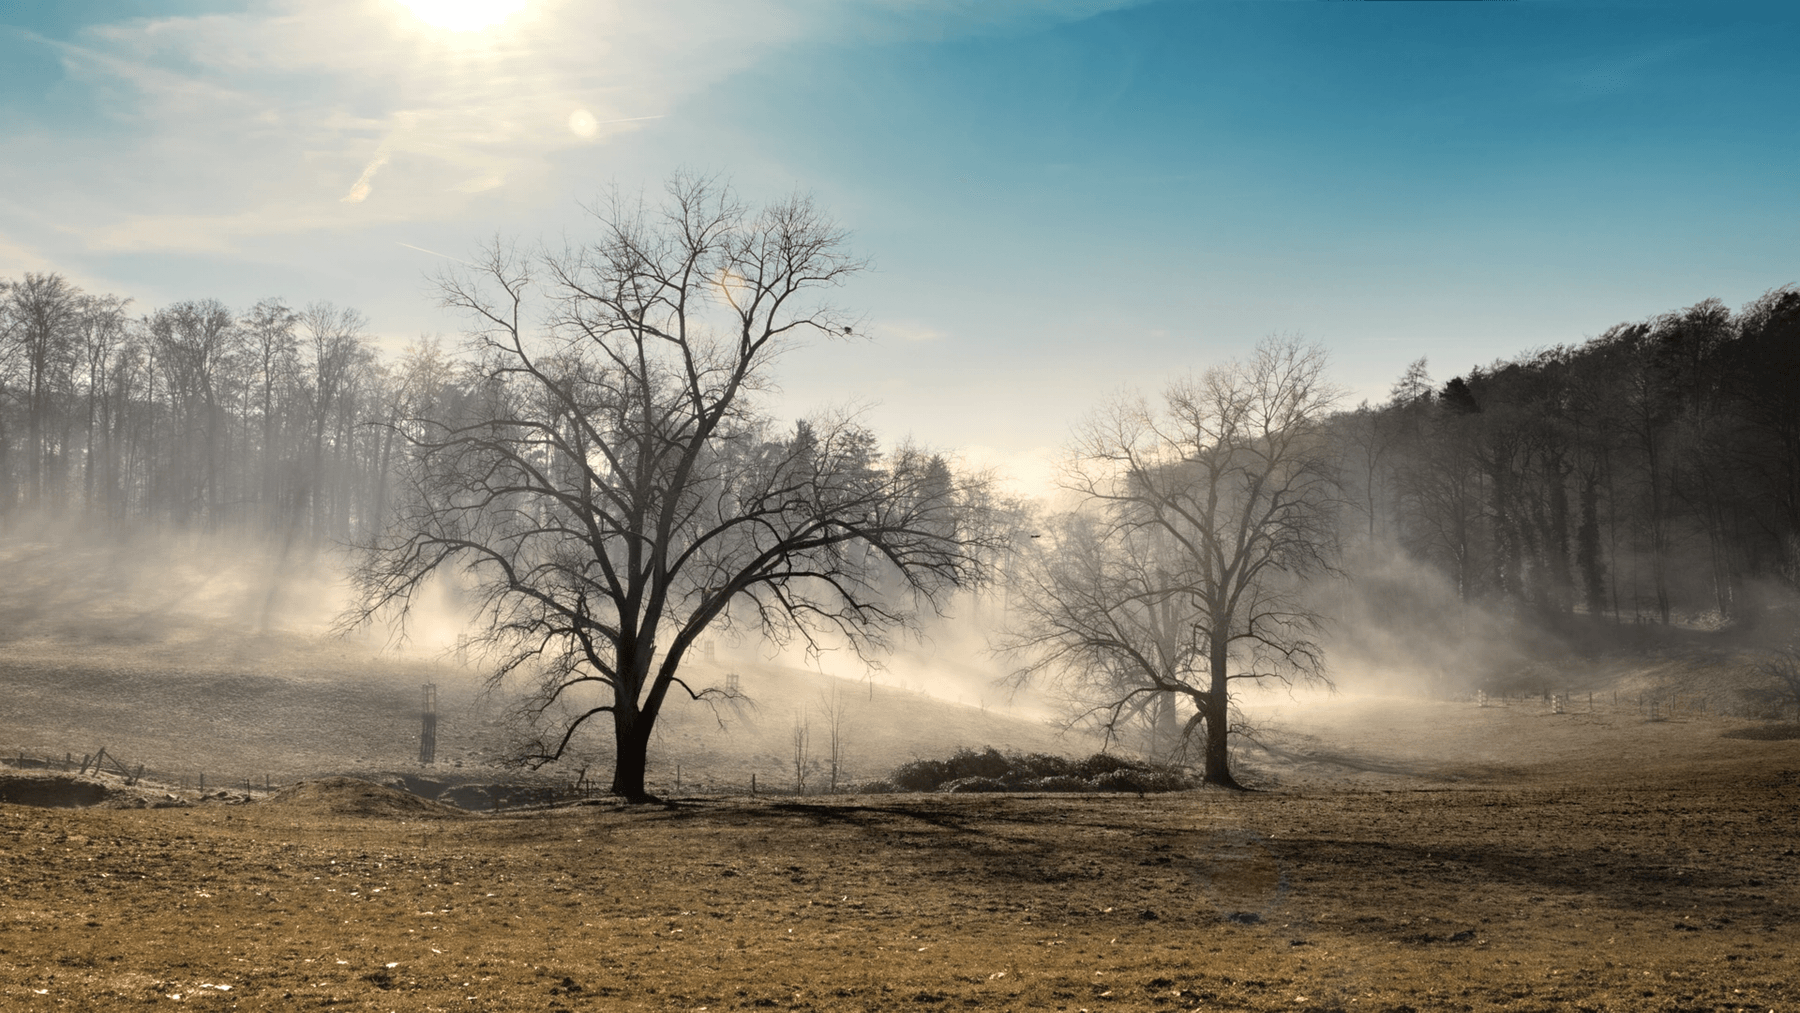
<point>1407,856</point>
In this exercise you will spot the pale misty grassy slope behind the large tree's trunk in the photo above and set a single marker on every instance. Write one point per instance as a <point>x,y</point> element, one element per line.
<point>197,659</point>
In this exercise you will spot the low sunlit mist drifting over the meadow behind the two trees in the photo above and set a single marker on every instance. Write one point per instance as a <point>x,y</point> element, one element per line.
<point>237,605</point>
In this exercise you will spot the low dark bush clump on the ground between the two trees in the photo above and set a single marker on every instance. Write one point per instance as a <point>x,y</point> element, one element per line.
<point>993,771</point>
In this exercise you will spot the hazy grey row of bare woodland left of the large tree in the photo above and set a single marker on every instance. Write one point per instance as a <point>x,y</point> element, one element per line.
<point>199,415</point>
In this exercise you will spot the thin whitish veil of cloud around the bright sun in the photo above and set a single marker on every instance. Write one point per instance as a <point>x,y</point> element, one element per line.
<point>303,116</point>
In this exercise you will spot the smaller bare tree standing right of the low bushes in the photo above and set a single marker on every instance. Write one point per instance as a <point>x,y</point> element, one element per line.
<point>1203,517</point>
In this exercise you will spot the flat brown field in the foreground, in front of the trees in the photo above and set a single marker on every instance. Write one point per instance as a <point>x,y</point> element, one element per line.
<point>1545,863</point>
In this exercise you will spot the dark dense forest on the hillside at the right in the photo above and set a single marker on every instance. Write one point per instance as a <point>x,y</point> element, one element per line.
<point>1644,476</point>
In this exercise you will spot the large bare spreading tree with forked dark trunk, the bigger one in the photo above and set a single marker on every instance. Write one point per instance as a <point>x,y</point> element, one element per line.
<point>609,490</point>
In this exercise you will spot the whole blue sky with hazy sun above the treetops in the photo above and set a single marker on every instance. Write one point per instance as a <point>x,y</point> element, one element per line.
<point>1061,199</point>
